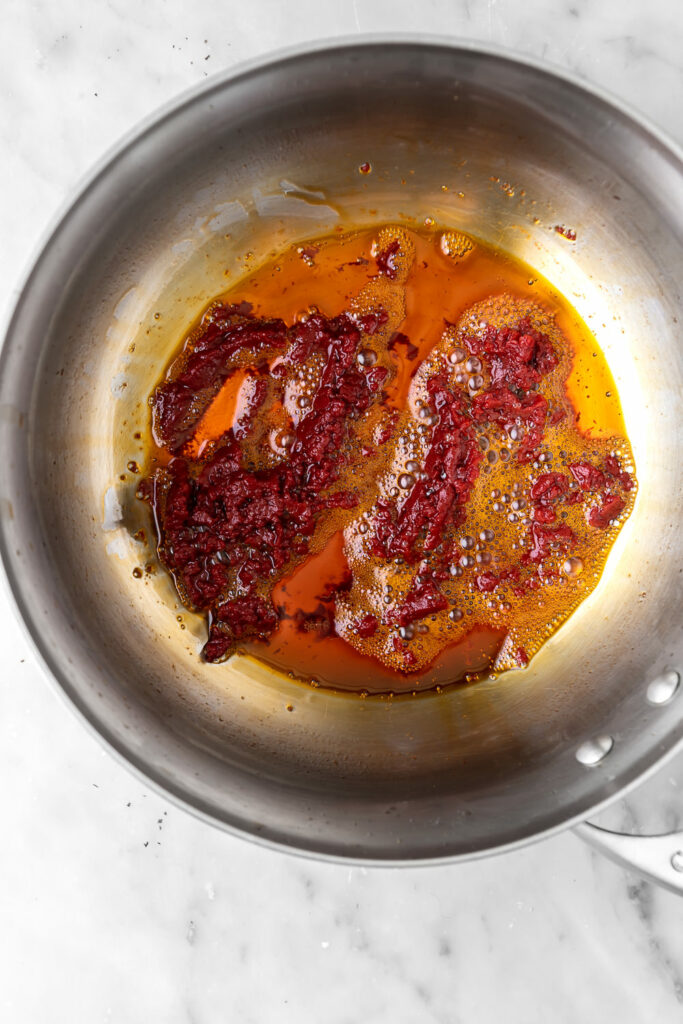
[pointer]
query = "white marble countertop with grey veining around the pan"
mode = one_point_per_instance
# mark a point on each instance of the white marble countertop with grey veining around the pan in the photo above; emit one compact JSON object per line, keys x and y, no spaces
{"x":115,"y":906}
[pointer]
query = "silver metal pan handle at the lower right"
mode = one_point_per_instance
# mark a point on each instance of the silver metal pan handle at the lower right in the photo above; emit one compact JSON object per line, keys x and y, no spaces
{"x":658,"y":859}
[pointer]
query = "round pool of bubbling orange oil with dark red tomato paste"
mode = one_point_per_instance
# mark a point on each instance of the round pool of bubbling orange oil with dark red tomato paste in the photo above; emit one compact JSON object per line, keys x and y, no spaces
{"x":391,"y":467}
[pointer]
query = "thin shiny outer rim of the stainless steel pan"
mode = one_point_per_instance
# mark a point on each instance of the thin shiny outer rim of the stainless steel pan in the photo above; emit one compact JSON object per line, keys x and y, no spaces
{"x":59,"y":679}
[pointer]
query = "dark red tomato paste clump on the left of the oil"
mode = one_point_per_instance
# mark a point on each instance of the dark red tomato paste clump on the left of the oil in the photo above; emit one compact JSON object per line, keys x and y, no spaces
{"x":226,"y":528}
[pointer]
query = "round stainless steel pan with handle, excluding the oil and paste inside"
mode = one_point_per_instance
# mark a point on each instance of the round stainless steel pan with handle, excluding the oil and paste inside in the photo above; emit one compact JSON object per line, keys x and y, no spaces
{"x":249,"y":163}
